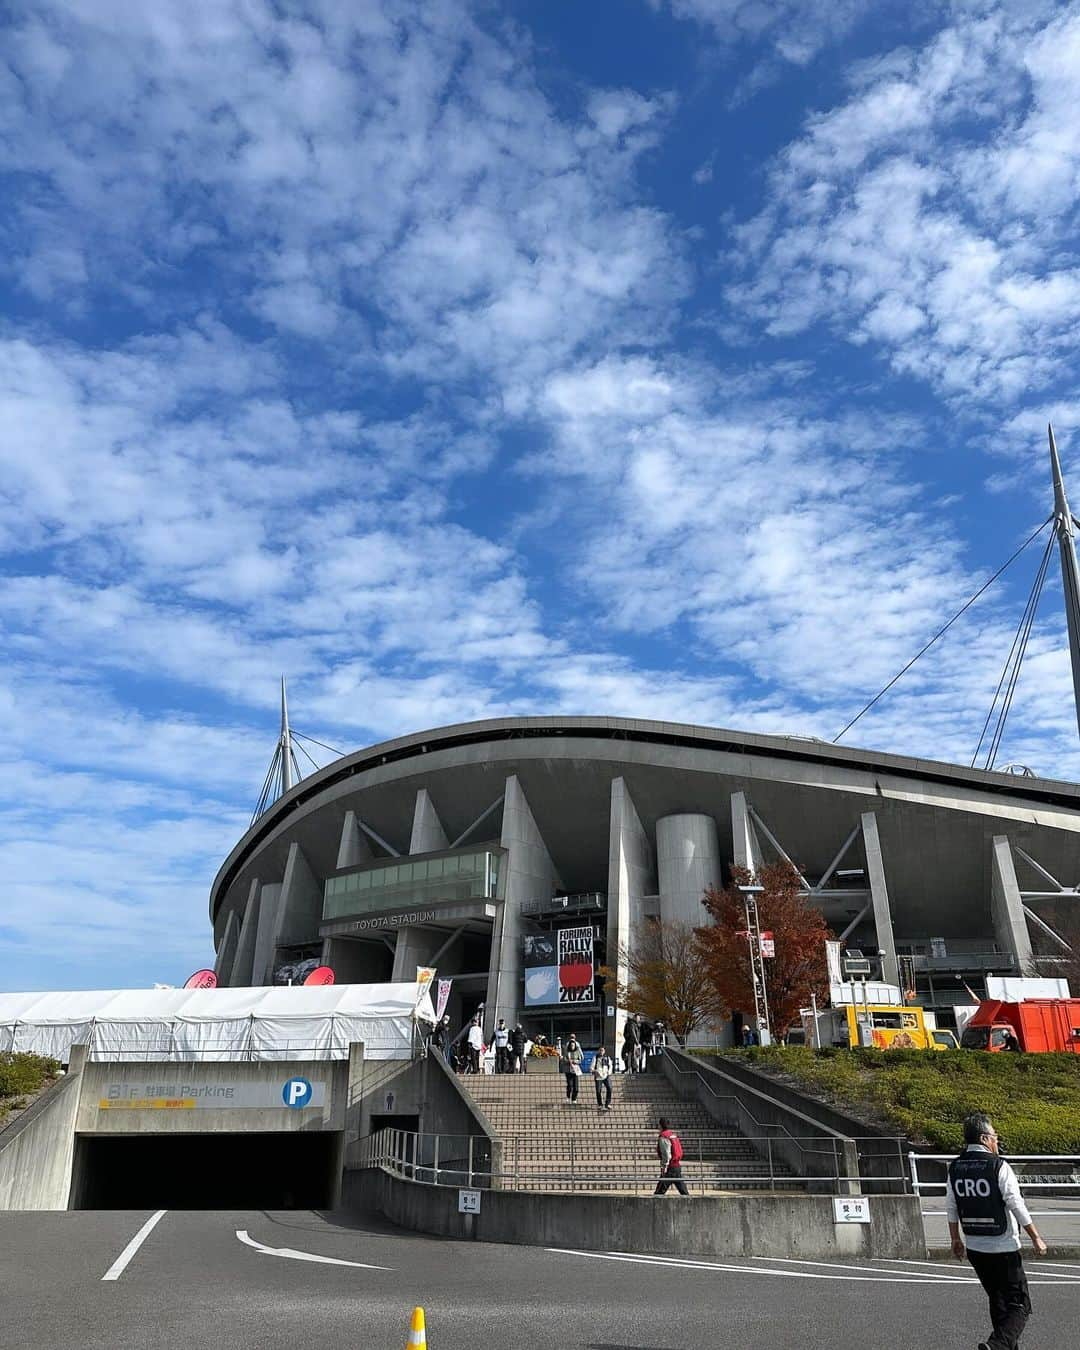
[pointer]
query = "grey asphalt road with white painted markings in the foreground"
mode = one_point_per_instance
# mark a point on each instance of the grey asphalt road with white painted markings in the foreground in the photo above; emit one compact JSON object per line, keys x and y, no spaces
{"x":194,"y":1282}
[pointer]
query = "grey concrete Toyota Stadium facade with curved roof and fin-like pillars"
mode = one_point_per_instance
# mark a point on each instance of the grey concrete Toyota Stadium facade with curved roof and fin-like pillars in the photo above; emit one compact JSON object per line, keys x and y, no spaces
{"x":452,"y":847}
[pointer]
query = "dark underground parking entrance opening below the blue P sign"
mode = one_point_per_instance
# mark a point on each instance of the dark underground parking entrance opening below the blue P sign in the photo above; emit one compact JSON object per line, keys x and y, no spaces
{"x":207,"y":1171}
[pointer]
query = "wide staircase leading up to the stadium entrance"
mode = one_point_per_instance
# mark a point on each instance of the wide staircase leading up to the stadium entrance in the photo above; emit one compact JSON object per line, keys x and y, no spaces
{"x":553,"y":1145}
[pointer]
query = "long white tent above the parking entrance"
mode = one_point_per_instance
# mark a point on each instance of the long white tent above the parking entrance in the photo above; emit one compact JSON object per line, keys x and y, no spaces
{"x":277,"y":1023}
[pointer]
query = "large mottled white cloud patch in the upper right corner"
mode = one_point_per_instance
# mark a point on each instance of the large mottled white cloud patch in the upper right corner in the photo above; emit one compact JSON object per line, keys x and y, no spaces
{"x":901,"y":217}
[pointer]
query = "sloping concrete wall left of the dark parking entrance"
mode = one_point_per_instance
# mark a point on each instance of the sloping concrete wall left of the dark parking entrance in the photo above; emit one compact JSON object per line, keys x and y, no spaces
{"x":37,"y":1150}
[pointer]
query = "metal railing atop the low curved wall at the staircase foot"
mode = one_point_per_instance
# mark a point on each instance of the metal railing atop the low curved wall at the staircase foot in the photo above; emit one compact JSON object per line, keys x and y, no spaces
{"x":466,"y":1162}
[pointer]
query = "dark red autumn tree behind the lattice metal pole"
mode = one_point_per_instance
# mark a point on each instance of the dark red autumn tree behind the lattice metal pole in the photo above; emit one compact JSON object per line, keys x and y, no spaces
{"x":800,"y":932}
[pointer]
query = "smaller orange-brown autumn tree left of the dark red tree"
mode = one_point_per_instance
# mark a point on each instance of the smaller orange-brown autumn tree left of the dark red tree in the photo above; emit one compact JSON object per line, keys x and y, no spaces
{"x":668,"y":978}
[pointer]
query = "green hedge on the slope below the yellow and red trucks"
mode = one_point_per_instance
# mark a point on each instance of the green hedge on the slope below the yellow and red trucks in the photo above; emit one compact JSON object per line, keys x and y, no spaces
{"x":1033,"y":1100}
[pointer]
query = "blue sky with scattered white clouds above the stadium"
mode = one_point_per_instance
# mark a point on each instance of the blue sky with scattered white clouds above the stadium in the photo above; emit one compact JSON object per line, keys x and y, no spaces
{"x":669,"y":358}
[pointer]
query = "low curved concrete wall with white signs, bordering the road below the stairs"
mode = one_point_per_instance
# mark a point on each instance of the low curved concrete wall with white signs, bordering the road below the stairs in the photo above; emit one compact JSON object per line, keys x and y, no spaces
{"x":712,"y":1226}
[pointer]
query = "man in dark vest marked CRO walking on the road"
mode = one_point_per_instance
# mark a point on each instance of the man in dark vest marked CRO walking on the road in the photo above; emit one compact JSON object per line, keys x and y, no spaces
{"x":985,"y":1208}
